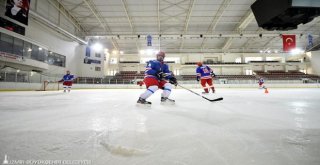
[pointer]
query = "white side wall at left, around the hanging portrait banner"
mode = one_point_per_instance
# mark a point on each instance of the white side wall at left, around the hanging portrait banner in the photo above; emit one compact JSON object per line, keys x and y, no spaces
{"x":47,"y":38}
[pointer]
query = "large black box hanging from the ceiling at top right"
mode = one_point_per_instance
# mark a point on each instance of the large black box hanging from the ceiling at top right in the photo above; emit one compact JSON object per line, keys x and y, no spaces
{"x":284,"y":14}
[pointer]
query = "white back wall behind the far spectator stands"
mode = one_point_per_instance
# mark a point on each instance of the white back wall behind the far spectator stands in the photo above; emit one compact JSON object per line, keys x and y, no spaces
{"x":218,"y":69}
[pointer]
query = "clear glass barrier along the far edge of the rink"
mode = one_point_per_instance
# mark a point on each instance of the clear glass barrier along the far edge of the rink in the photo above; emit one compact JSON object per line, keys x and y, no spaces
{"x":34,"y":77}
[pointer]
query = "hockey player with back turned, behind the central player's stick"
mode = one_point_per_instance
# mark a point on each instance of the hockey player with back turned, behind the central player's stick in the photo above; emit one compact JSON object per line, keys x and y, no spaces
{"x":205,"y":75}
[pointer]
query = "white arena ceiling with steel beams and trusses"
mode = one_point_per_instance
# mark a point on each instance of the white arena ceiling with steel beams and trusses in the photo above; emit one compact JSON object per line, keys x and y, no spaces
{"x":179,"y":26}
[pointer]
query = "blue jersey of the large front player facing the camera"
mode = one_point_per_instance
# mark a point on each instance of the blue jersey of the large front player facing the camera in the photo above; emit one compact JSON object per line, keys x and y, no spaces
{"x":154,"y":67}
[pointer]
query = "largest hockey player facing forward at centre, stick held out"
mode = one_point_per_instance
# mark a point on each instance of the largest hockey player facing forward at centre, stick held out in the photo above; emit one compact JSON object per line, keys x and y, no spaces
{"x":156,"y":74}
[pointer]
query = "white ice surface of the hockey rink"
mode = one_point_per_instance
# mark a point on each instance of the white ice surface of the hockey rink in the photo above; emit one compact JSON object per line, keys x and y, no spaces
{"x":106,"y":127}
